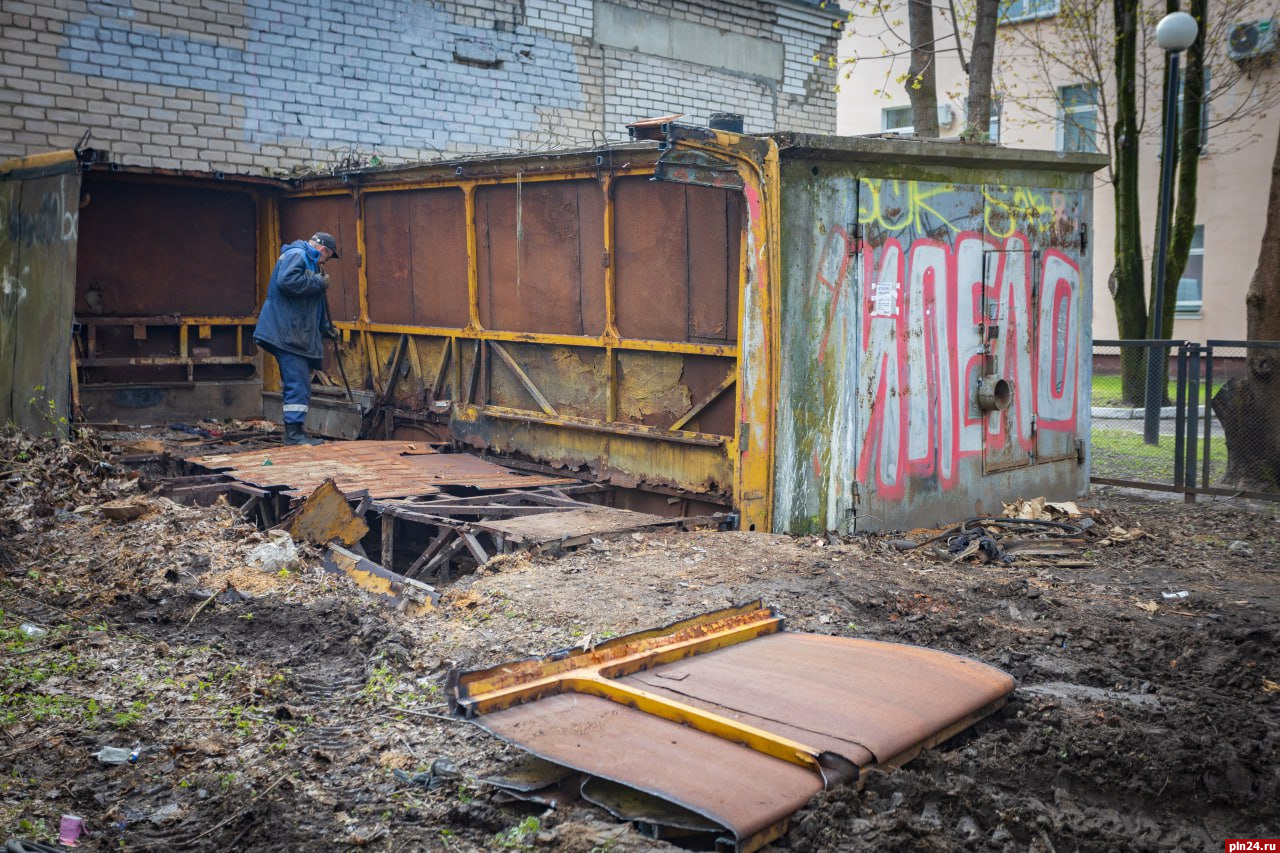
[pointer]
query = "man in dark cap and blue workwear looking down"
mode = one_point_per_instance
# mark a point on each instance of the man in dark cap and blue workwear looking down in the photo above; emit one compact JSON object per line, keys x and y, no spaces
{"x":292,"y":322}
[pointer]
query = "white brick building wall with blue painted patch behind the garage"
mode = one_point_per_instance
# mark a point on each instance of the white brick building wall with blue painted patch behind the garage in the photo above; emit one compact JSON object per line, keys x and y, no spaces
{"x":252,"y":86}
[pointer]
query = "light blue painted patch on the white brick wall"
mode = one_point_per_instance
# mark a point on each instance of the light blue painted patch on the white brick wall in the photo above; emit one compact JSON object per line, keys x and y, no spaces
{"x":344,"y":77}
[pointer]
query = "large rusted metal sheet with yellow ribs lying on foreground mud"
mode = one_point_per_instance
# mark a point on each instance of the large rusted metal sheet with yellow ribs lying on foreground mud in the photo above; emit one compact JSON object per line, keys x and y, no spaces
{"x":729,"y":717}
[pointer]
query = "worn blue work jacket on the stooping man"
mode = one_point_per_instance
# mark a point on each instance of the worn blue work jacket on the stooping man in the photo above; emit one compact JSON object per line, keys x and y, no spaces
{"x":294,"y":314}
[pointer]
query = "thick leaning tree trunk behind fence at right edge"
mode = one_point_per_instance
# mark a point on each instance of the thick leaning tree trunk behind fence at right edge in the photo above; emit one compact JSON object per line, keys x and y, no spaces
{"x":1249,"y":408}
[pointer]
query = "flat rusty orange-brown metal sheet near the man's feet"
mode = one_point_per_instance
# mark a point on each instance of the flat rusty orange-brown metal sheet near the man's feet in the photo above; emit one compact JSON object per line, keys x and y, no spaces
{"x":386,"y":469}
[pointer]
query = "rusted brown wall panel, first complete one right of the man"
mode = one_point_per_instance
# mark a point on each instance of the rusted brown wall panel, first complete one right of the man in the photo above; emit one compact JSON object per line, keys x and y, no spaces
{"x":418,"y":258}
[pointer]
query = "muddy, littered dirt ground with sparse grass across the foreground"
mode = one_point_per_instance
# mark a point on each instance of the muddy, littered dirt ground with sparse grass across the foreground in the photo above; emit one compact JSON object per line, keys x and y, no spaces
{"x":286,"y":710}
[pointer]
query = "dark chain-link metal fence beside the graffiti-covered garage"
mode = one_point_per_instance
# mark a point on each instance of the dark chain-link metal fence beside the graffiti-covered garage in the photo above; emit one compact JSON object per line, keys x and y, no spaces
{"x":1206,"y":432}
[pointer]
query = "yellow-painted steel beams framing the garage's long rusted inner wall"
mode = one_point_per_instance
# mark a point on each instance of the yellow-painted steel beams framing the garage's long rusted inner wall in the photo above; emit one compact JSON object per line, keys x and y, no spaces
{"x":753,"y":378}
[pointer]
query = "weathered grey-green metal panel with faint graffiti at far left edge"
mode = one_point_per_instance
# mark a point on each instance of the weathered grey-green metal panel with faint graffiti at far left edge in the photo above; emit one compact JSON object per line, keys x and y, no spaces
{"x":39,"y":230}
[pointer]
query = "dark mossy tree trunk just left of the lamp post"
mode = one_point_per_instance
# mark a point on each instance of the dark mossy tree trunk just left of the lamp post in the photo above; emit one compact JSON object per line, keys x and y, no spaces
{"x":1128,"y":280}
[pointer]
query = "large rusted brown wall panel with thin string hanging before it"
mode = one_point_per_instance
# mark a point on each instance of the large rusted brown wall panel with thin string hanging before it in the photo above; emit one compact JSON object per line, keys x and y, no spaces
{"x":542,"y":257}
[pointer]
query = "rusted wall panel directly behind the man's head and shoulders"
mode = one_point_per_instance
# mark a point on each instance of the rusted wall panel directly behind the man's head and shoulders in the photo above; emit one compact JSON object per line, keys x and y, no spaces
{"x":303,"y":217}
